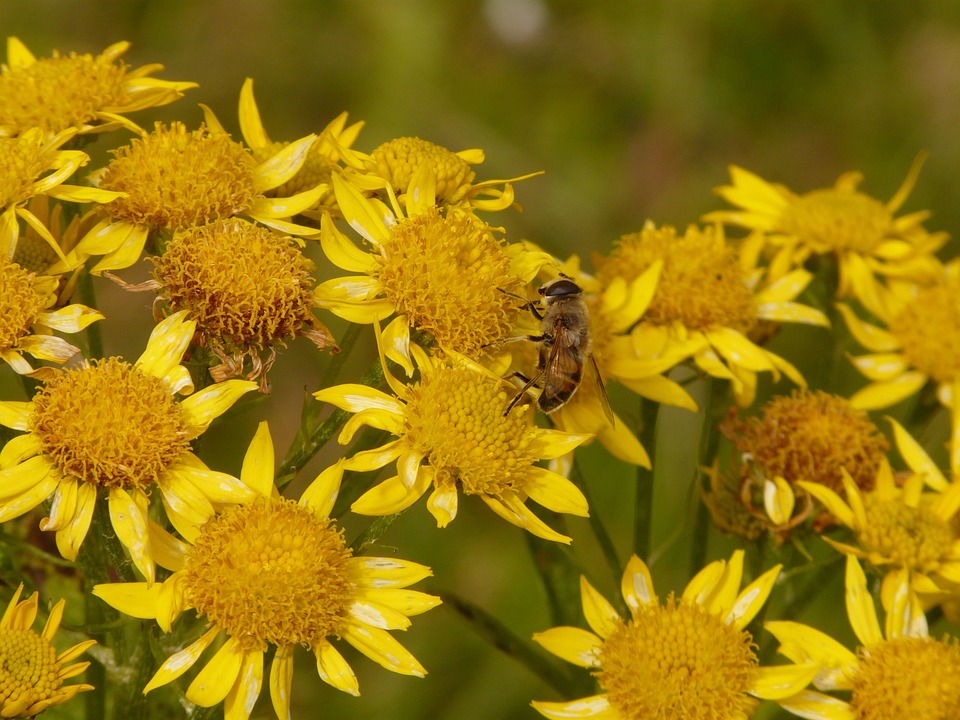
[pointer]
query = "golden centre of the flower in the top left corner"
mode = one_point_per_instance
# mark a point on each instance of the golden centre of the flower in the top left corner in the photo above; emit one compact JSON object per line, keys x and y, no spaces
{"x":59,"y":92}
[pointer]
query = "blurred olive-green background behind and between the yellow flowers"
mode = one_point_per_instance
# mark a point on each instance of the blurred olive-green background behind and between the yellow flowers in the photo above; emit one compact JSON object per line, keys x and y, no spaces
{"x":633,"y":109}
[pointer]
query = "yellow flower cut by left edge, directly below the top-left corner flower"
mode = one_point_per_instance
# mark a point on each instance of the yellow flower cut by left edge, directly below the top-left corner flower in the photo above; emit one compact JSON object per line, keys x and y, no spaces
{"x":31,"y":165}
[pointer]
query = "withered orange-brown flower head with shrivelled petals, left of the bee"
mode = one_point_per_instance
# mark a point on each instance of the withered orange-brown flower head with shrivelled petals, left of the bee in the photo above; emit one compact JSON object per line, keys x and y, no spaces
{"x":248,"y":288}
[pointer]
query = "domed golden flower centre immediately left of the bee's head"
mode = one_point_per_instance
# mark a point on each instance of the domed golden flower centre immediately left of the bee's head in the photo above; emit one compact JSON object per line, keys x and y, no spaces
{"x":447,"y":273}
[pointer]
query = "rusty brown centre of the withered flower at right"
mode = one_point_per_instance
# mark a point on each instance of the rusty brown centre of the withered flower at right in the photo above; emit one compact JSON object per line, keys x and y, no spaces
{"x":810,"y":436}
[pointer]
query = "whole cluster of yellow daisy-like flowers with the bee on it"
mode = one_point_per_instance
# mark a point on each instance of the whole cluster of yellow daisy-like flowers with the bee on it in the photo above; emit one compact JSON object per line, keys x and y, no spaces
{"x":494,"y":365}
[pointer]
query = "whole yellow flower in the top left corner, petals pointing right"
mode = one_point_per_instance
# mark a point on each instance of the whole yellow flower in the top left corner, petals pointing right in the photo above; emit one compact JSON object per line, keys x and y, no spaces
{"x":86,"y":92}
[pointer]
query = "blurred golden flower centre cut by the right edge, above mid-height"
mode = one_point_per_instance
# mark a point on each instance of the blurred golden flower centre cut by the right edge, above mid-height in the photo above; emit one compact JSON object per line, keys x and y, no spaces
{"x":929,"y":331}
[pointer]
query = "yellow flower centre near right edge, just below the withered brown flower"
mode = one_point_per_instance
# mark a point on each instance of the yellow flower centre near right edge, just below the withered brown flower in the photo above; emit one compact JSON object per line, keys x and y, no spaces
{"x":914,"y":537}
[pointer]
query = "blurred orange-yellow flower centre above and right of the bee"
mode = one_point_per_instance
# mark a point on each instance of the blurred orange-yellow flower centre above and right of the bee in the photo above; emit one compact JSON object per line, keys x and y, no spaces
{"x":702,"y":285}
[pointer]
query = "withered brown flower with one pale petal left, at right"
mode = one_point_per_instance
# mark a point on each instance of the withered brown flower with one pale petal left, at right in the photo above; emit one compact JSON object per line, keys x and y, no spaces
{"x":809,"y":436}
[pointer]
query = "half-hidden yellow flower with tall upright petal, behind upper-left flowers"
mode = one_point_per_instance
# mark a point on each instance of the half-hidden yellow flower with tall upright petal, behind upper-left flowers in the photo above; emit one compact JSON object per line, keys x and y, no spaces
{"x":331,"y":147}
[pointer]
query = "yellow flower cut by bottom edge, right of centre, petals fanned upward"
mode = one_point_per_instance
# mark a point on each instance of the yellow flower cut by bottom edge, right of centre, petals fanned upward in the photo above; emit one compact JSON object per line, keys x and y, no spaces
{"x":685,"y":659}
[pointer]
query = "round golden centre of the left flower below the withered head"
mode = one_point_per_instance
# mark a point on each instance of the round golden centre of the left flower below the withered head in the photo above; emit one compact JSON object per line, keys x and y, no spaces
{"x":110,"y":424}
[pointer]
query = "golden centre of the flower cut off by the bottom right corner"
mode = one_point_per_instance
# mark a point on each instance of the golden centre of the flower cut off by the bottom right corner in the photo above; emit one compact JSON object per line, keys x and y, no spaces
{"x":908,"y":677}
